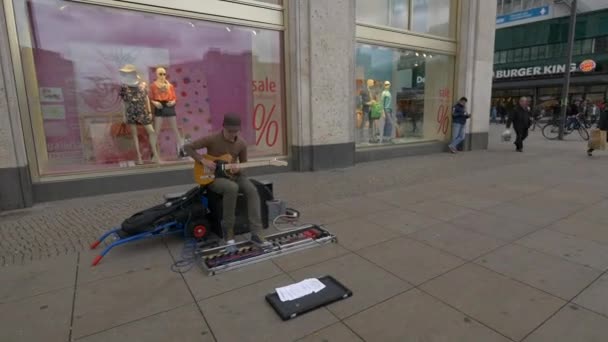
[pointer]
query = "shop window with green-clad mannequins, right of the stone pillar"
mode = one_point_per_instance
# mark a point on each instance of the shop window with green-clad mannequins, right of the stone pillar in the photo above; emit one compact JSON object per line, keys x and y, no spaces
{"x":413,"y":87}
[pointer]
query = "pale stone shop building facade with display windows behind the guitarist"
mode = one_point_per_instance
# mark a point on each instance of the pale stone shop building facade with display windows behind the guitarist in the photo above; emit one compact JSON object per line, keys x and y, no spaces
{"x":97,"y":96}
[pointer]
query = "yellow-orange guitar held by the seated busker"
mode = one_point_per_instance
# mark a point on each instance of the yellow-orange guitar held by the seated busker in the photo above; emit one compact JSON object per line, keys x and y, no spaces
{"x":223,"y":168}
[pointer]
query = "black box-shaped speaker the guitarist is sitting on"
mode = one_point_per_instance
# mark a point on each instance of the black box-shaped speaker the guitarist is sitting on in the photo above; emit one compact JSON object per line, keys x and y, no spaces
{"x":241,"y":226}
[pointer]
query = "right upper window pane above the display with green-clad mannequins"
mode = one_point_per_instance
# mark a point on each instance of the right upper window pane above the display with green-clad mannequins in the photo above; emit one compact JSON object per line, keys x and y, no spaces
{"x":433,"y":17}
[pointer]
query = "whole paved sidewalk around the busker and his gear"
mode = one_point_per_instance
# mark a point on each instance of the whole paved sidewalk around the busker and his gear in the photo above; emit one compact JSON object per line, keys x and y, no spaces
{"x":482,"y":246}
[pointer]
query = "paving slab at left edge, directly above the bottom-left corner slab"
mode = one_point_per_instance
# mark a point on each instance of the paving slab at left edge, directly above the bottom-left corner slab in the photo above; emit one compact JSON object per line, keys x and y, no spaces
{"x":41,"y":276}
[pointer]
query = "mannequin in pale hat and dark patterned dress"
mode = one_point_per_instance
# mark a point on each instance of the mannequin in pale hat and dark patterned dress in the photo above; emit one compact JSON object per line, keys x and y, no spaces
{"x":134,"y":93}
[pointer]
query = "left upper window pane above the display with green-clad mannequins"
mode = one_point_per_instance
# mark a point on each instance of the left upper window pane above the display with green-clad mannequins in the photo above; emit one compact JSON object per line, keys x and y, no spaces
{"x":393,"y":13}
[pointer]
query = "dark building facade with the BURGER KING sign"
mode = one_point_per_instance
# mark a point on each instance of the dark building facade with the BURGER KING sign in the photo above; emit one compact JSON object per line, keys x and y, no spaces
{"x":533,"y":65}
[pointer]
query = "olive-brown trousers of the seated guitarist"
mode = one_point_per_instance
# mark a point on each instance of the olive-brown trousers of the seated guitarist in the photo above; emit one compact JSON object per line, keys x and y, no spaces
{"x":229,"y":189}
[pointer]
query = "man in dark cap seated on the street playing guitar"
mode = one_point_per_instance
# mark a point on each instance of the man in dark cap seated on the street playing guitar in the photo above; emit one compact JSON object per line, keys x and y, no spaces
{"x":228,"y":142}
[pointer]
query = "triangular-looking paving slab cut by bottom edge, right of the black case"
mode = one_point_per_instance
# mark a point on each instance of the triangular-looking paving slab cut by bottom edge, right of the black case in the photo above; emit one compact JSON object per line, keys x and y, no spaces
{"x":416,"y":316}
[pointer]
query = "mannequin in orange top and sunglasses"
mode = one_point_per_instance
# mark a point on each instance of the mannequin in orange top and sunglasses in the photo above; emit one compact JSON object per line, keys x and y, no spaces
{"x":162,"y":96}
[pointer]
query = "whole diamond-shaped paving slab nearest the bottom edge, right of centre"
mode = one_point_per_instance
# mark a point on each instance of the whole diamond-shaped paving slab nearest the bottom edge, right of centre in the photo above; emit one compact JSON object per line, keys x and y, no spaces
{"x":507,"y":306}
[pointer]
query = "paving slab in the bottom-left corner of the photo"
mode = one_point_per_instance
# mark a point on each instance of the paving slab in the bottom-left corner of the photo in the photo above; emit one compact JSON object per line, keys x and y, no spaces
{"x":40,"y":318}
